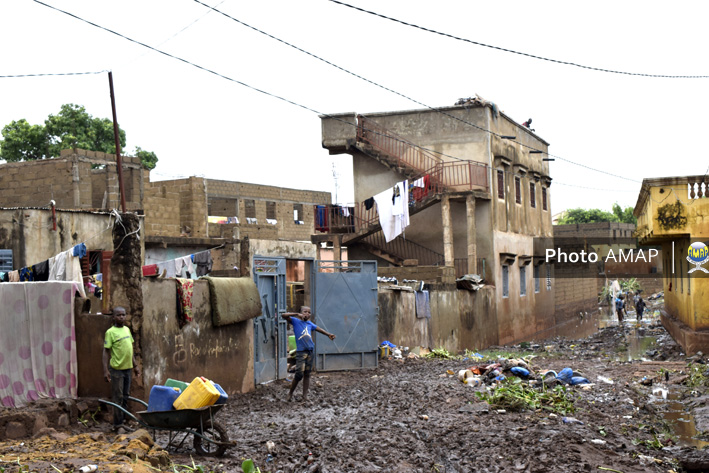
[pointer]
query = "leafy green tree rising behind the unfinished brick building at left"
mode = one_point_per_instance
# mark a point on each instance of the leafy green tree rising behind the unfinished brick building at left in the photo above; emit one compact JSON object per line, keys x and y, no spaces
{"x":72,"y":127}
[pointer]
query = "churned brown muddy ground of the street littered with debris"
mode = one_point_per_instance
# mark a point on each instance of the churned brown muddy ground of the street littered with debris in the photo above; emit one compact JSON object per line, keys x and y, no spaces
{"x":412,"y":415}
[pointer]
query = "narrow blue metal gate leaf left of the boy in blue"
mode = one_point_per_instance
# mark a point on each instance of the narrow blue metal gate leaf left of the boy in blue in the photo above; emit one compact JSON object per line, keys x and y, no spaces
{"x":270,"y":330}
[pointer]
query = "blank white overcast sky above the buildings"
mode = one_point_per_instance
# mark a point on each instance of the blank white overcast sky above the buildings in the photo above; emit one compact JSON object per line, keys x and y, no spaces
{"x":606,"y":130}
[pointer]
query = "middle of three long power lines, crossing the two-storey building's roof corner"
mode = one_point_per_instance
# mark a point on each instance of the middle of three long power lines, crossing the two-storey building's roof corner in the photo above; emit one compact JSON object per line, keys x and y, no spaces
{"x":438,"y":110}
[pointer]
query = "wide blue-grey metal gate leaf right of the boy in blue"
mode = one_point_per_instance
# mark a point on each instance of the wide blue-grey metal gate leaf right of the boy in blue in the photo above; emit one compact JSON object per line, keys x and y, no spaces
{"x":346,"y":304}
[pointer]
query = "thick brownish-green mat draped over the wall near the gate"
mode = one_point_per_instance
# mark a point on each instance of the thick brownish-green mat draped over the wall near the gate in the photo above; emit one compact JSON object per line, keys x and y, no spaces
{"x":233,"y":300}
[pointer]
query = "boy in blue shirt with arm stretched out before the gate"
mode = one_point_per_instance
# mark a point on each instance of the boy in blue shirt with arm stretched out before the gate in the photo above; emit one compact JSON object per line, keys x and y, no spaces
{"x":303,"y":328}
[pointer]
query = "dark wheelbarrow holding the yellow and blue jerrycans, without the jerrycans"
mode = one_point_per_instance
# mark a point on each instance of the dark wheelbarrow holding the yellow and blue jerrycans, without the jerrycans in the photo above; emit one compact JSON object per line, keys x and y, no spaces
{"x":210,"y":438}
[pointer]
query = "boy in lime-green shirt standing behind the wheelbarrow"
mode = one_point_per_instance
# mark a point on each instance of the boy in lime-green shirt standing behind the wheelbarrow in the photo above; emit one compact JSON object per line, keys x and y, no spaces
{"x":118,"y":363}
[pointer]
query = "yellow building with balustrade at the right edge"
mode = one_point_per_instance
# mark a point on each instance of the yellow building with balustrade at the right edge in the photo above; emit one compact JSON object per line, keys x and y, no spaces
{"x":674,"y":212}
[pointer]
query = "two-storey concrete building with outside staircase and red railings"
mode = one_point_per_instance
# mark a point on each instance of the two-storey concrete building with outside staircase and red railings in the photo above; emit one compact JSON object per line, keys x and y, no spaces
{"x":486,"y":200}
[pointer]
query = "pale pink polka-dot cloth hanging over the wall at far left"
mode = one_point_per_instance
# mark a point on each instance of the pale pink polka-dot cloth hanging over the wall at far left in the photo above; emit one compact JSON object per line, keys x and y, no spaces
{"x":37,"y":342}
